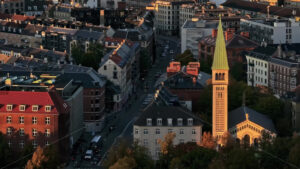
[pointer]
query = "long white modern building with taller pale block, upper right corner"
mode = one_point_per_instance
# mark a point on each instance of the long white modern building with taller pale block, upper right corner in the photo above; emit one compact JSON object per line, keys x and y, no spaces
{"x":273,"y":31}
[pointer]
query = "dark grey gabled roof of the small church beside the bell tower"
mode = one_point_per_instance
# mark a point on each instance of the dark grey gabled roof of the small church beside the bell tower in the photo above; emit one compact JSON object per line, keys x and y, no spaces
{"x":239,"y":115}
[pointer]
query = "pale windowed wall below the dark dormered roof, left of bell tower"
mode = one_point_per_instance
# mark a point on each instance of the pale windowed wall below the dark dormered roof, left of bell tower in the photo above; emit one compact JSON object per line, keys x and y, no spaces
{"x":150,"y":140}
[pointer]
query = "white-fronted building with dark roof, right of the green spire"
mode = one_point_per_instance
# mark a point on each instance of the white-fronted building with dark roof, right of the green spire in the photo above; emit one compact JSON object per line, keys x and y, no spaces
{"x":258,"y":66}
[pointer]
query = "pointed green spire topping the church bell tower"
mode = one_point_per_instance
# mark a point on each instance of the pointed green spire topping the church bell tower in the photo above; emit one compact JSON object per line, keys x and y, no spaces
{"x":220,"y":55}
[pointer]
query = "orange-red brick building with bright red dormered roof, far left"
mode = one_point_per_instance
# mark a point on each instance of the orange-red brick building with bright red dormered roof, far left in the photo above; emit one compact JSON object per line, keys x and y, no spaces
{"x":33,"y":117}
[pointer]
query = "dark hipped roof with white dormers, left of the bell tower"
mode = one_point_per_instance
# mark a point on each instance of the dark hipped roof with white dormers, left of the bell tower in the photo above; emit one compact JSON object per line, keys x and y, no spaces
{"x":165,"y":112}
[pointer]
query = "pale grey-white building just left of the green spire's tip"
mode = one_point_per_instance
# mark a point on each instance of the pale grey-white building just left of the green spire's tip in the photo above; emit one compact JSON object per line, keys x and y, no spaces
{"x":192,"y":30}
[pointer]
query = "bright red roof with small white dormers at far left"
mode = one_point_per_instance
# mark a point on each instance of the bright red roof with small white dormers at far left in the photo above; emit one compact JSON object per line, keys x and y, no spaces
{"x":29,"y":98}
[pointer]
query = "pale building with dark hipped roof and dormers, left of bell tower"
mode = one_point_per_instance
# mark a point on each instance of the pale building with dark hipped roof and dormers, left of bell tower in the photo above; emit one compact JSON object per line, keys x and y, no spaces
{"x":157,"y":121}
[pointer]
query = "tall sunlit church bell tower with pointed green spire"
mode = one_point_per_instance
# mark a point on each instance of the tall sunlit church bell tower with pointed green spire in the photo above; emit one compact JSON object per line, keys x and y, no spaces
{"x":220,"y":77}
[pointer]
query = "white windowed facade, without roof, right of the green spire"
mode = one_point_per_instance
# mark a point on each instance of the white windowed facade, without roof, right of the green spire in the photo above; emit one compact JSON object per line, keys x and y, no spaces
{"x":257,"y":71}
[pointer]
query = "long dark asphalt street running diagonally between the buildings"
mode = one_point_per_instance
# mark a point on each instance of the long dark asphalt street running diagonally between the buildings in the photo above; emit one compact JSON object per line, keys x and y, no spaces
{"x":124,"y":120}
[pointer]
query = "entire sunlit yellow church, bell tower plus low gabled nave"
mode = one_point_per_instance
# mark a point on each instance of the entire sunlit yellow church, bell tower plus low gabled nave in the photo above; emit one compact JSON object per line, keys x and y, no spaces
{"x":243,"y":123}
